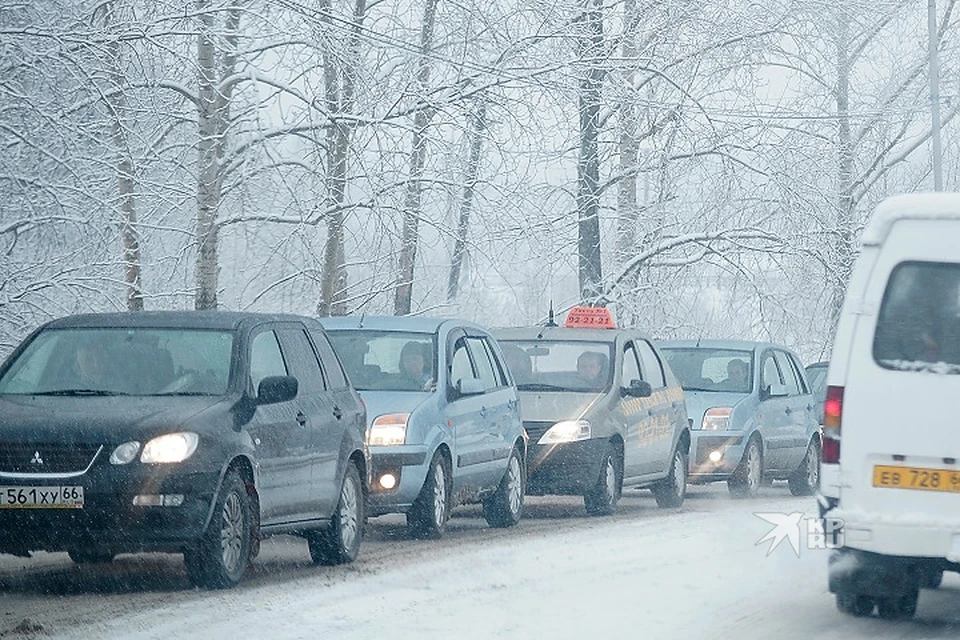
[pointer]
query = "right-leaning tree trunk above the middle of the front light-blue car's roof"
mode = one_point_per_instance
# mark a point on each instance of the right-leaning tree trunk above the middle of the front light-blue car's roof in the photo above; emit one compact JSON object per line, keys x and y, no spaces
{"x":412,"y":200}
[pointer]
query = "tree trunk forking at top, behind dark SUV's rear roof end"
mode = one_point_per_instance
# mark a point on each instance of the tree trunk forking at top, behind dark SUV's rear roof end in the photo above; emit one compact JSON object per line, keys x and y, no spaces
{"x":339,"y":85}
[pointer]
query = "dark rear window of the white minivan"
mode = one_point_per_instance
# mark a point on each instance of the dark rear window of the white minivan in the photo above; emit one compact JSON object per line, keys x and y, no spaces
{"x":918,"y":327}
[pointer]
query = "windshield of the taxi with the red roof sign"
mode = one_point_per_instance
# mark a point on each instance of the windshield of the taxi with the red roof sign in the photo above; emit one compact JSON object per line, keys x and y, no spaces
{"x":559,"y":366}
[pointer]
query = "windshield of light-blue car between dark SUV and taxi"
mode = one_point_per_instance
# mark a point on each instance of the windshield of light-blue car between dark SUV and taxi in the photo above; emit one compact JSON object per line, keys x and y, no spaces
{"x":387,"y":360}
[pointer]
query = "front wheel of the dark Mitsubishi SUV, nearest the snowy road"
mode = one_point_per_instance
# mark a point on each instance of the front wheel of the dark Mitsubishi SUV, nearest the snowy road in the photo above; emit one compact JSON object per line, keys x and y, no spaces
{"x":221,"y":557}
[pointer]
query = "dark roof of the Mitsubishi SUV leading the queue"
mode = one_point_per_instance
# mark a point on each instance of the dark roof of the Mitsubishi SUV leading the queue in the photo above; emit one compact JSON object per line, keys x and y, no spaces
{"x":228,"y":320}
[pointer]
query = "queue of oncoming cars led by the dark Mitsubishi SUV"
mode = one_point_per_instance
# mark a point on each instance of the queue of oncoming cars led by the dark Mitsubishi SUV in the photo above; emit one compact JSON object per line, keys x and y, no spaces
{"x":202,"y":433}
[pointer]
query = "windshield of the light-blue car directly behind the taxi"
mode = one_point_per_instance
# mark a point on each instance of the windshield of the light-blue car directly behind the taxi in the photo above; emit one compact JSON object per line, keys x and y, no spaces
{"x":703,"y":369}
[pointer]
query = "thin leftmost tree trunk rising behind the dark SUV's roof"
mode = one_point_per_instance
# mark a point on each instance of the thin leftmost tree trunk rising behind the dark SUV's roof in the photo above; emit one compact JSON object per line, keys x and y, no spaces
{"x":129,"y":232}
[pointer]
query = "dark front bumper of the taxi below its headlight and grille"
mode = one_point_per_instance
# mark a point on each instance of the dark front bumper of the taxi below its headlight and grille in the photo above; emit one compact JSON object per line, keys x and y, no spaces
{"x":564,"y":469}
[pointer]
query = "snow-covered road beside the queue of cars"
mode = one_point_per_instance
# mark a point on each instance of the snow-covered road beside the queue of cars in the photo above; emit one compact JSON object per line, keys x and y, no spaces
{"x":693,"y":573}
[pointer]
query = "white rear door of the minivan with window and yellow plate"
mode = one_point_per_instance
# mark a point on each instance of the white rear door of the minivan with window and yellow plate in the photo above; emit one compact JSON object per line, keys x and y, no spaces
{"x":900,"y":439}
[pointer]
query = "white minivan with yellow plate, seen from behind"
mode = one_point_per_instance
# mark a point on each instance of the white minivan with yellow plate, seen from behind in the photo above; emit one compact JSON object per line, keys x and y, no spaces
{"x":891,"y":432}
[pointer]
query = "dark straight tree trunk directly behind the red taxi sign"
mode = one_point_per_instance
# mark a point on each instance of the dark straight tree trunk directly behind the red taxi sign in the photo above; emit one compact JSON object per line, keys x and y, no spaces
{"x":588,"y":165}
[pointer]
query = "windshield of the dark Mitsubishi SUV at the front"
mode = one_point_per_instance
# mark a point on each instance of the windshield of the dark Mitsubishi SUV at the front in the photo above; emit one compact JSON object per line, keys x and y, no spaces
{"x":122,"y":361}
